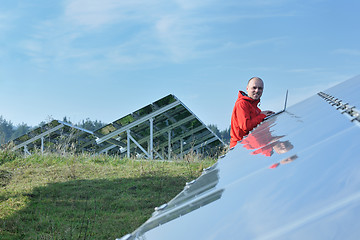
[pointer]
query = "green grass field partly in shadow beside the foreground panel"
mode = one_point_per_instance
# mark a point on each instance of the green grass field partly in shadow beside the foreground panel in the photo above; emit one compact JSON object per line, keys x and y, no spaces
{"x":85,"y":197}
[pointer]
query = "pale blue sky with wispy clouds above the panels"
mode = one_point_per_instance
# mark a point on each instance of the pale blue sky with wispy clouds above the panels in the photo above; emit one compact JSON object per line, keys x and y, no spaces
{"x":104,"y":59}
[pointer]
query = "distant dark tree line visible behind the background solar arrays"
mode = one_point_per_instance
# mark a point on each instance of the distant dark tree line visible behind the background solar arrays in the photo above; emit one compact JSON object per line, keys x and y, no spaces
{"x":9,"y":131}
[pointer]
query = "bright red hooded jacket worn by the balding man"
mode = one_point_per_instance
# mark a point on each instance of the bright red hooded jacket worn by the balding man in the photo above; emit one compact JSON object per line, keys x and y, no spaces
{"x":245,"y":116}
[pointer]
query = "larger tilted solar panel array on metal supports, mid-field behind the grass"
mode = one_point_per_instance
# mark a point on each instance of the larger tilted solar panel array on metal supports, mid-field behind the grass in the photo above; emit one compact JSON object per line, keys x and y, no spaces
{"x":163,"y":129}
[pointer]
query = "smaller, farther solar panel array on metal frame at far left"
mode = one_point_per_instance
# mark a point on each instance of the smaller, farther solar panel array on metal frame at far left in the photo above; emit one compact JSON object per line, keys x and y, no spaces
{"x":57,"y":135}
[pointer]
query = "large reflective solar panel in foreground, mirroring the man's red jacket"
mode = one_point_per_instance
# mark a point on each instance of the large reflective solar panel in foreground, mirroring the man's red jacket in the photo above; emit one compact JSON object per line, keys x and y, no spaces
{"x":295,"y":176}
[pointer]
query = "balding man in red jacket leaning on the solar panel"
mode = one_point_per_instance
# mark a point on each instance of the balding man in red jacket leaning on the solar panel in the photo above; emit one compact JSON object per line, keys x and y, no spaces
{"x":246,"y":115}
